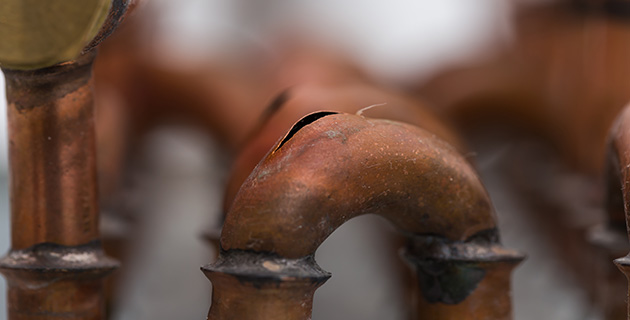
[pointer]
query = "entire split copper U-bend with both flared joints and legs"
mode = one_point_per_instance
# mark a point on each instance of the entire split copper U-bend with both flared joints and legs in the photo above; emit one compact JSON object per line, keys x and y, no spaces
{"x":333,"y":167}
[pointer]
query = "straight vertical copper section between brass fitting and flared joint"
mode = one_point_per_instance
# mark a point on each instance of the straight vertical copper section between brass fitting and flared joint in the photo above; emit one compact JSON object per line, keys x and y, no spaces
{"x":52,"y":155}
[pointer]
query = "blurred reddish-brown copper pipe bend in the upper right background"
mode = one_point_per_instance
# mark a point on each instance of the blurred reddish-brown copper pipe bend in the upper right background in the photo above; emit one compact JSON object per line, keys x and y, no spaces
{"x":565,"y":85}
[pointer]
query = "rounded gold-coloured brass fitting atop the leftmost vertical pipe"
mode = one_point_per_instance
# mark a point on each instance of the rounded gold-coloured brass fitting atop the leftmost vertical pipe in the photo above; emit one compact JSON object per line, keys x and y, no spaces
{"x":40,"y":33}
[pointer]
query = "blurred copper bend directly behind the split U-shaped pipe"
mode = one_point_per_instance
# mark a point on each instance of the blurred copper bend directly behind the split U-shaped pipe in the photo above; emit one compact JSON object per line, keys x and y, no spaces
{"x":347,"y":96}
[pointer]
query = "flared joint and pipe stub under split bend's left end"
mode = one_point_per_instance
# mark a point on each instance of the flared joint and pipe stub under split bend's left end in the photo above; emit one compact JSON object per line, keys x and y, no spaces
{"x":274,"y":287}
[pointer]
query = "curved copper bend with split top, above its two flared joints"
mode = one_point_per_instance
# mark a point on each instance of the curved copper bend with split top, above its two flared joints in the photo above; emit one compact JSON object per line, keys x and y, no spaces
{"x":324,"y":172}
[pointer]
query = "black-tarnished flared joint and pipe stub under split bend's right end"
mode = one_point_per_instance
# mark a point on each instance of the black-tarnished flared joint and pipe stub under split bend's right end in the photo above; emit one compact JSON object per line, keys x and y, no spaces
{"x":468,"y":280}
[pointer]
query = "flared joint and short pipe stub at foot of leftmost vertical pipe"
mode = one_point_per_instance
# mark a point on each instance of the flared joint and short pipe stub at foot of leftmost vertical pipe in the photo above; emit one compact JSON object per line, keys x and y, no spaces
{"x":49,"y":281}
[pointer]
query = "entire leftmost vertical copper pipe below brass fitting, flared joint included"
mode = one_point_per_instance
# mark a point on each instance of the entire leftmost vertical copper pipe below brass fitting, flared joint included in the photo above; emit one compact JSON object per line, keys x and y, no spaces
{"x":56,"y":265}
